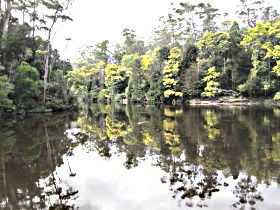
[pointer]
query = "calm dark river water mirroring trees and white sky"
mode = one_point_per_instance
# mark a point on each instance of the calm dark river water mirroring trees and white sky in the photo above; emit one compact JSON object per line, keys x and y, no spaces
{"x":139,"y":157}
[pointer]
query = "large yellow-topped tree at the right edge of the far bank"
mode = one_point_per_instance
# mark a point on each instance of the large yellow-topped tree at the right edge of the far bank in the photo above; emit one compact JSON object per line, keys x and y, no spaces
{"x":262,"y":42}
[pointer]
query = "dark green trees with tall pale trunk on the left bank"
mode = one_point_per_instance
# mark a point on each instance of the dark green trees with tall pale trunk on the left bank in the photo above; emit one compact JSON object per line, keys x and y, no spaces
{"x":32,"y":75}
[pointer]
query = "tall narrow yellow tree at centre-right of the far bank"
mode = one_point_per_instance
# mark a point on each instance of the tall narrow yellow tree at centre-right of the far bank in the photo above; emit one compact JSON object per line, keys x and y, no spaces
{"x":170,"y":75}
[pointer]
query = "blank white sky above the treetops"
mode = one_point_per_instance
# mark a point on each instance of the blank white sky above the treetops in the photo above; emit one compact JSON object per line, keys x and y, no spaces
{"x":98,"y":20}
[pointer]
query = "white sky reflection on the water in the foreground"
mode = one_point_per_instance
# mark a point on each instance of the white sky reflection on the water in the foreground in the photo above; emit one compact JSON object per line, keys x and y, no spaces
{"x":104,"y":183}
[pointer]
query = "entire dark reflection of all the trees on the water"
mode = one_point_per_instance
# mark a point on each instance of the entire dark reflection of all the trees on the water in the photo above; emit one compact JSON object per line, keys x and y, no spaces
{"x":199,"y":149}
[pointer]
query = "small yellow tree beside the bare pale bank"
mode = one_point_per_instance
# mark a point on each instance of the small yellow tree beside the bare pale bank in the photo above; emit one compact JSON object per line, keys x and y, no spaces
{"x":212,"y":84}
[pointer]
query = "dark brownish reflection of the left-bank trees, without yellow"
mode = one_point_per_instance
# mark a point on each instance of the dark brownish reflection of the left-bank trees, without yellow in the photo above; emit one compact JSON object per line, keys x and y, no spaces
{"x":30,"y":149}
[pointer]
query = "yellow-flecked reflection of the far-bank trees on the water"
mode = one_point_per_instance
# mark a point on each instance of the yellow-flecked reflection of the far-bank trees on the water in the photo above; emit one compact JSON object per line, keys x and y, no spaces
{"x":232,"y":139}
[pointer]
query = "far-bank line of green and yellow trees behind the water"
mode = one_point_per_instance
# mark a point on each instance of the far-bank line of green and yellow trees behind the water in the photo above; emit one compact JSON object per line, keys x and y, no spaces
{"x":196,"y":52}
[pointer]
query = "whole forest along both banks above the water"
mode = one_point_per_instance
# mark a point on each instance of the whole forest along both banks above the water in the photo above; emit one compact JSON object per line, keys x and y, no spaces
{"x":194,"y":52}
